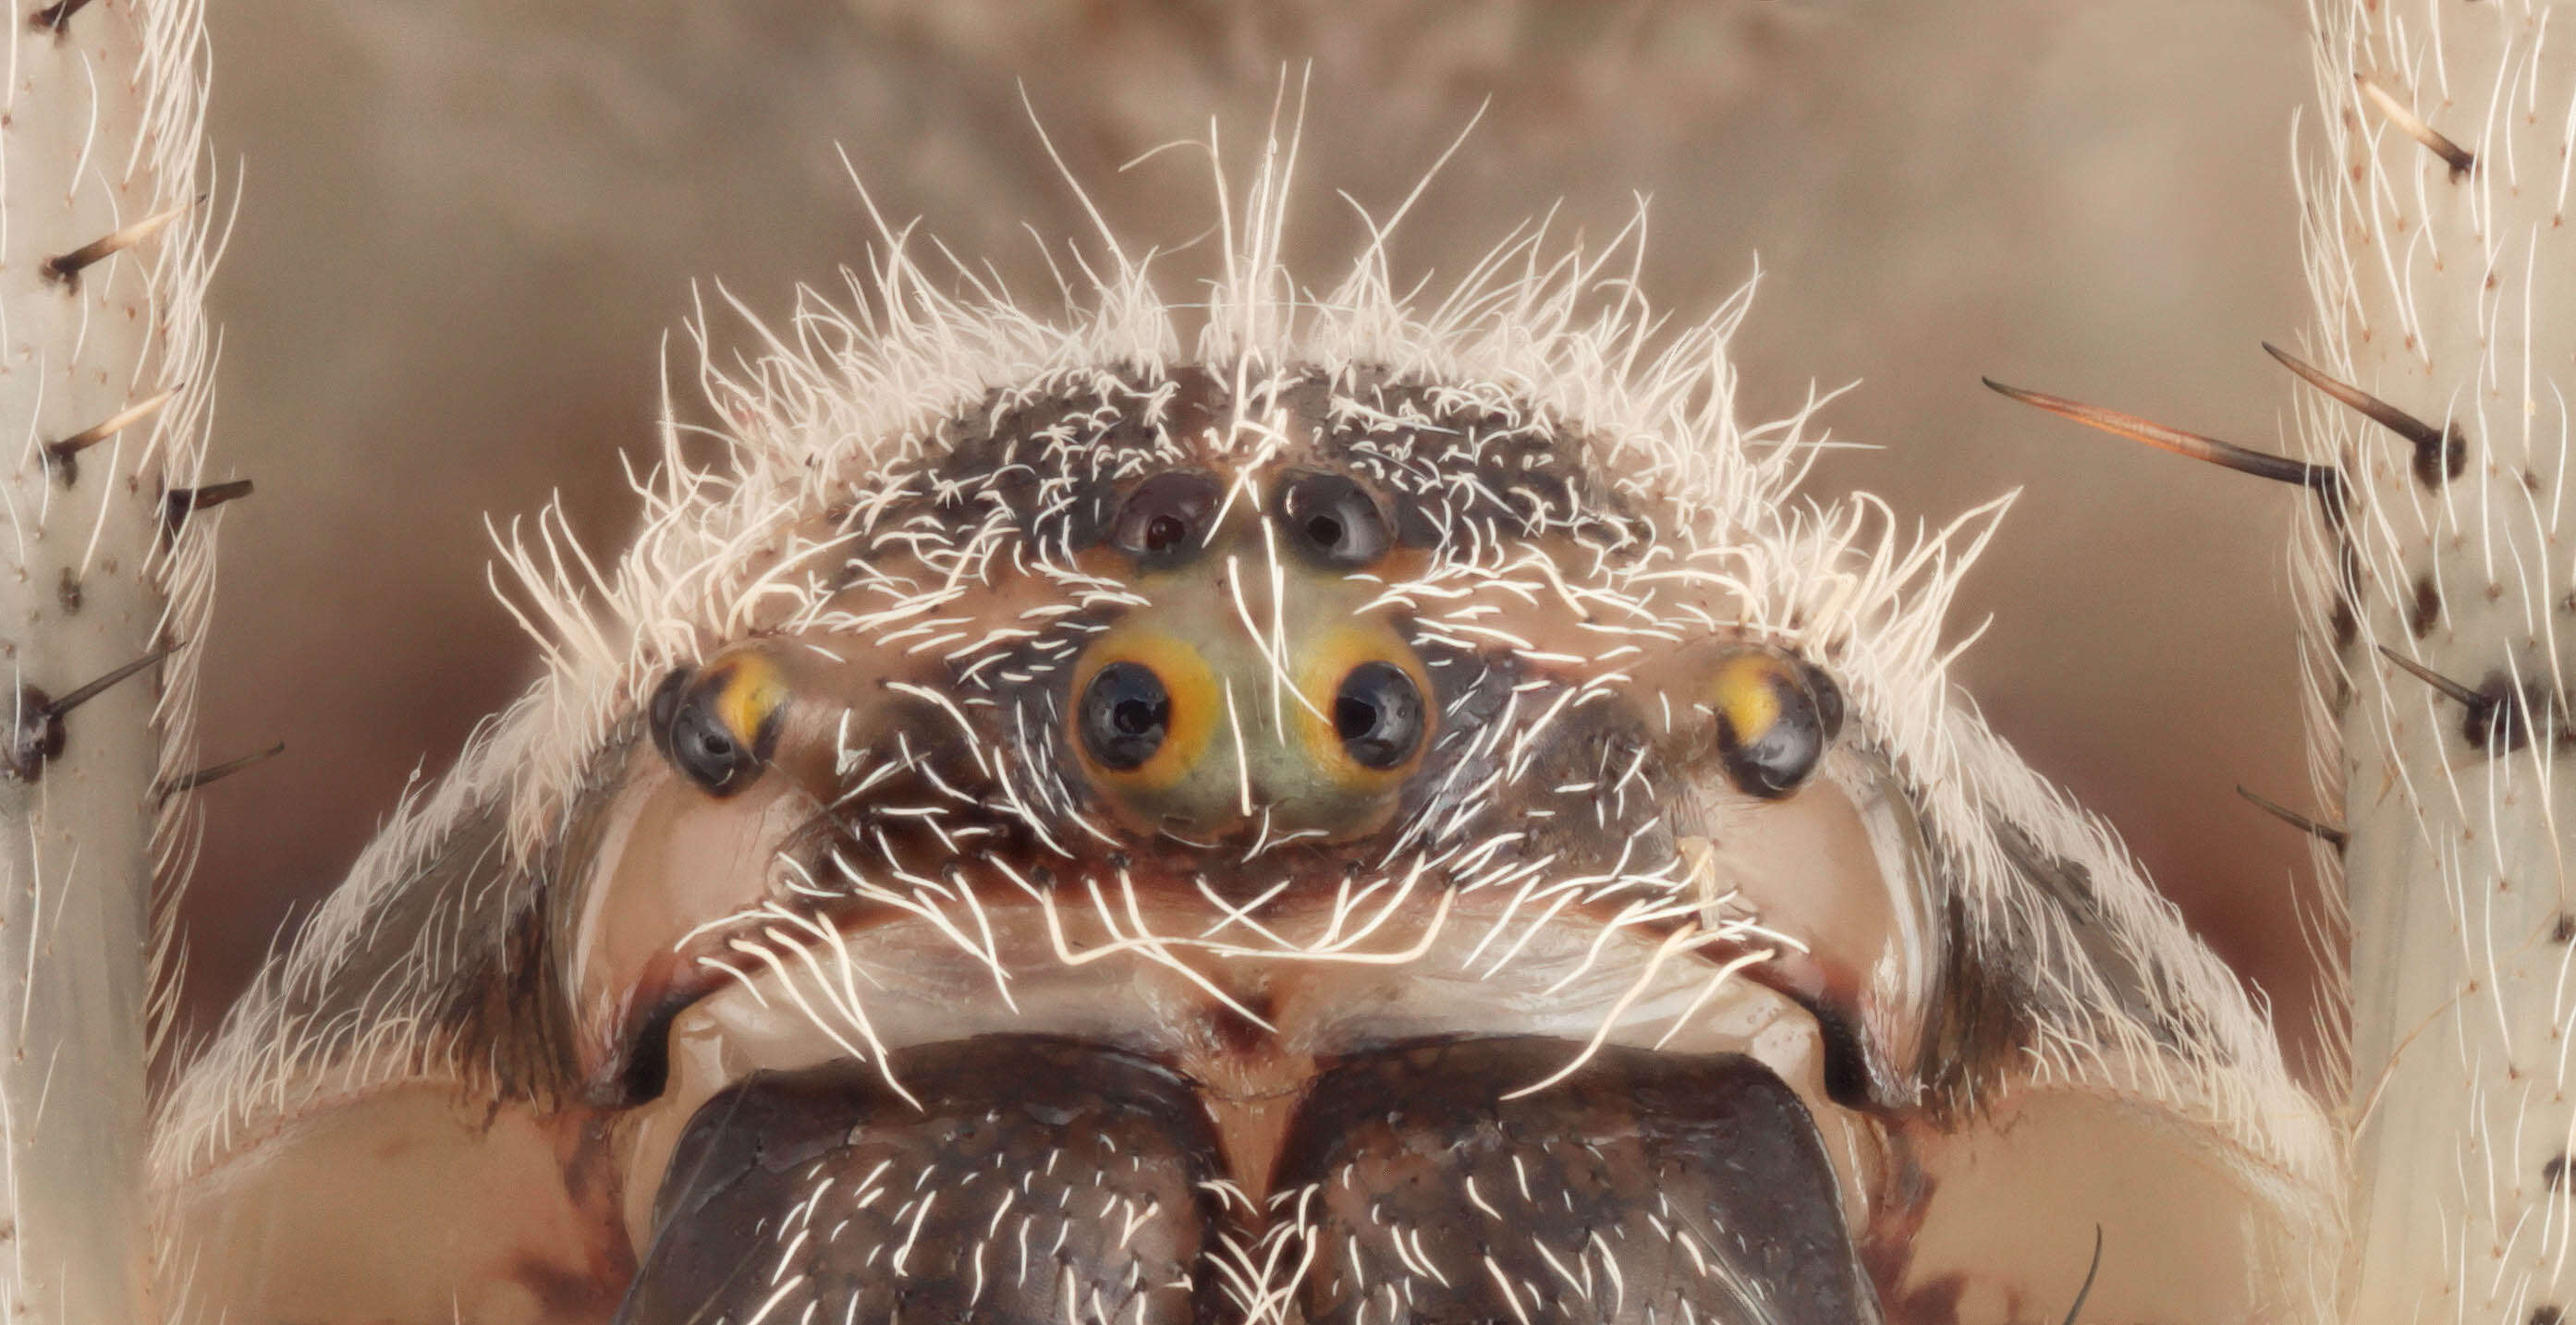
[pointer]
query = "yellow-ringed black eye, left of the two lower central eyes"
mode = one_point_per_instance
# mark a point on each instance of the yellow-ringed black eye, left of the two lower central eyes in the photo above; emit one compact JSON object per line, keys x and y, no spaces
{"x":1117,"y":681}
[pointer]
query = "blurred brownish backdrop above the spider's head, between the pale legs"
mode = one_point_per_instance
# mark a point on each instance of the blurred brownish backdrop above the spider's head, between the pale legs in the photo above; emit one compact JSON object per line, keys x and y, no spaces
{"x":470,"y":225}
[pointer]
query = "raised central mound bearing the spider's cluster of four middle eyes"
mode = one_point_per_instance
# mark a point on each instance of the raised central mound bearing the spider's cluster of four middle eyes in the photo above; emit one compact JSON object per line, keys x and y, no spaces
{"x":1248,"y":686}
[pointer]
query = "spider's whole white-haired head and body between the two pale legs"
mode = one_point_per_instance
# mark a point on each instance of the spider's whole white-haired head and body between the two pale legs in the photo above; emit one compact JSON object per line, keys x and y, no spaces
{"x":1390,"y":814}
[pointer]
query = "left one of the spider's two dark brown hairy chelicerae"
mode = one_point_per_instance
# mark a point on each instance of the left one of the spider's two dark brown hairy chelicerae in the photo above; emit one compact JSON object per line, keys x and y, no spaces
{"x":1037,"y":1182}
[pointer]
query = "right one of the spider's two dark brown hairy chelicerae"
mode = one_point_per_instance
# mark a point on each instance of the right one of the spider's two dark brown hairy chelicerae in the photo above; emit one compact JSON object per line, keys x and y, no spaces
{"x":1699,"y":1174}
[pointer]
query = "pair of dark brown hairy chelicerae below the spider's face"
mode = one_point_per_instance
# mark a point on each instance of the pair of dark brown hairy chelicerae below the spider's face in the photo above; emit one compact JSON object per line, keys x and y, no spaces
{"x":1057,"y":1180}
